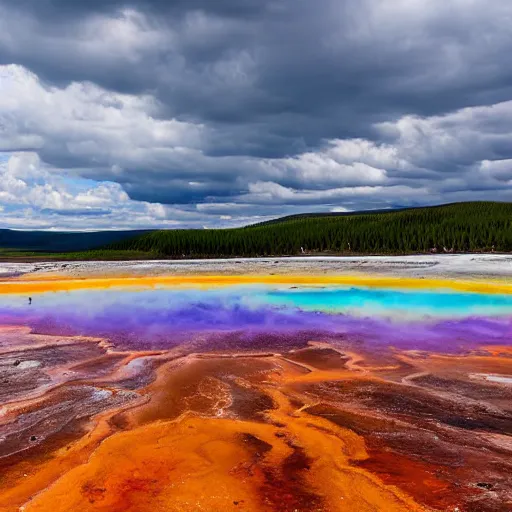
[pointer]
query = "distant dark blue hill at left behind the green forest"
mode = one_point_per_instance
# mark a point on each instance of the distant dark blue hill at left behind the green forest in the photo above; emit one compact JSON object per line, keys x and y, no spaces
{"x":56,"y":242}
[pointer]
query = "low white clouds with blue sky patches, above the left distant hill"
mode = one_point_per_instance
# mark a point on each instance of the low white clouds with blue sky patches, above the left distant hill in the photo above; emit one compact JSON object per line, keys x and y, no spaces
{"x":32,"y":196}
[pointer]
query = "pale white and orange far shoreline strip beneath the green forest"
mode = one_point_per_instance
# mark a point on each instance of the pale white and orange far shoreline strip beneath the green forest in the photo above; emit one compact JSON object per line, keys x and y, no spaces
{"x":462,"y":267}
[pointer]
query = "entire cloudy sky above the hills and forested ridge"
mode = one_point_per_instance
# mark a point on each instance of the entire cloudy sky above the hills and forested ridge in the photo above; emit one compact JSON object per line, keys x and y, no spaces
{"x":199,"y":113}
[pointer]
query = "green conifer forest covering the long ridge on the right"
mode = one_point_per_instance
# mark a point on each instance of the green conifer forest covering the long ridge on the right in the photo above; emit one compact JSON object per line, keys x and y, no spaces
{"x":460,"y":227}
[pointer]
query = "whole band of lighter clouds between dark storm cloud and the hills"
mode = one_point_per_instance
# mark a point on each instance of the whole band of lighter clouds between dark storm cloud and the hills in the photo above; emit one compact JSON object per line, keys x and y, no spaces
{"x":121,"y":143}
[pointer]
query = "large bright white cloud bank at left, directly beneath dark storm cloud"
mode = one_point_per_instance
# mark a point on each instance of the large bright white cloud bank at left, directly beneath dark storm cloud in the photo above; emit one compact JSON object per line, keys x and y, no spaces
{"x":85,"y":121}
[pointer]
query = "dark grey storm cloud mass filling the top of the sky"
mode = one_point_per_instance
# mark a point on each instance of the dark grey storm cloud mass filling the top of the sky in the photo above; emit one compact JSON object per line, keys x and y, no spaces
{"x":275,"y":75}
